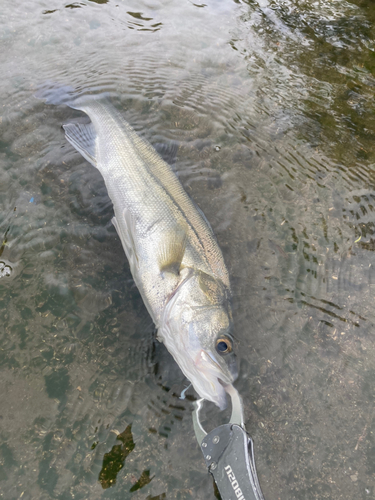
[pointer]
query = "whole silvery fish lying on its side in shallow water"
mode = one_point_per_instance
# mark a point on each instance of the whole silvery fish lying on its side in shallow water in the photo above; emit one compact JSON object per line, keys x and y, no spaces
{"x":174,"y":257}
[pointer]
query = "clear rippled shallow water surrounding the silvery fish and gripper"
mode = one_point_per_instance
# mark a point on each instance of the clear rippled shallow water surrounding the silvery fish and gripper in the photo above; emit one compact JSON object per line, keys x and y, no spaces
{"x":266,"y":111}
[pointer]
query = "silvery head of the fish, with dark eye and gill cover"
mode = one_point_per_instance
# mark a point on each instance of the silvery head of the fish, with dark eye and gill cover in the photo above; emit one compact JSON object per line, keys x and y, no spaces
{"x":197,"y":332}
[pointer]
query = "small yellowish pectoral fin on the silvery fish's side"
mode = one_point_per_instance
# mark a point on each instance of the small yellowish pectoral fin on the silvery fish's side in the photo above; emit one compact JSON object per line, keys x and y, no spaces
{"x":172,"y":251}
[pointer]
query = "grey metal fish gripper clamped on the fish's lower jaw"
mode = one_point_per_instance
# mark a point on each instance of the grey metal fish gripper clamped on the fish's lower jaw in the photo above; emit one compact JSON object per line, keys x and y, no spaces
{"x":229,"y":453}
